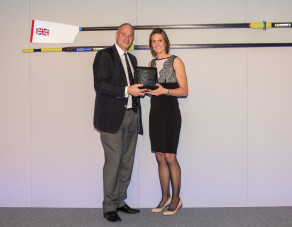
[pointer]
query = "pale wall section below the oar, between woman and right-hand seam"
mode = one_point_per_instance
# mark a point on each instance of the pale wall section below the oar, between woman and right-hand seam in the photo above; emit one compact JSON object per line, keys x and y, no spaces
{"x":213,"y":140}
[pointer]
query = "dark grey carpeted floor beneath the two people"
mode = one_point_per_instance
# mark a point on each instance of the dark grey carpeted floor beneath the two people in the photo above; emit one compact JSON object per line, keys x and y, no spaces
{"x":197,"y":217}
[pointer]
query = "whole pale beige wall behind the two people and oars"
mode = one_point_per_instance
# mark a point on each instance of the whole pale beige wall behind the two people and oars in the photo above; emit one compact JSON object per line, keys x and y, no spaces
{"x":236,"y":139}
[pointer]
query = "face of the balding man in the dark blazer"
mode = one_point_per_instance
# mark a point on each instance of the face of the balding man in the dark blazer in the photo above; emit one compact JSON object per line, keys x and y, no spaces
{"x":125,"y":37}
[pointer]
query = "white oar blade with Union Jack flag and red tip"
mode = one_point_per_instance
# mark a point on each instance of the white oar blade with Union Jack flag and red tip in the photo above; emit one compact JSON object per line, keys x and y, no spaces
{"x":51,"y":32}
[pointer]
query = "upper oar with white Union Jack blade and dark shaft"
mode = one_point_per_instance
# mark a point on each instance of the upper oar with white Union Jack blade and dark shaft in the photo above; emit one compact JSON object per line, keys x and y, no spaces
{"x":51,"y":32}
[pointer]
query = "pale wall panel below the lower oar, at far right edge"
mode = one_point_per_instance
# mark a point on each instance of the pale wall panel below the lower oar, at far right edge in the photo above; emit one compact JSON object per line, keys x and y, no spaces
{"x":270,"y":127}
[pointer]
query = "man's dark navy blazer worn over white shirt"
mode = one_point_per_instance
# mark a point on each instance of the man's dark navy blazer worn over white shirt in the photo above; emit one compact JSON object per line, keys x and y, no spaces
{"x":109,"y":83}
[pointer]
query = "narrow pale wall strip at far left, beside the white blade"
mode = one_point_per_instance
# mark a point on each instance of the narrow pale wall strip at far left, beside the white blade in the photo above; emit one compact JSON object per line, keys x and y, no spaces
{"x":15,"y":172}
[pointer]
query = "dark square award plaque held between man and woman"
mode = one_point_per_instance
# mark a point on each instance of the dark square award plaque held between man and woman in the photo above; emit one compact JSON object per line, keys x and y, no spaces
{"x":146,"y":76}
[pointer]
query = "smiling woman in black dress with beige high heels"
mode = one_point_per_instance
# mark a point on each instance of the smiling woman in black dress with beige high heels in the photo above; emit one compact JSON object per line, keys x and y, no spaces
{"x":165,"y":118}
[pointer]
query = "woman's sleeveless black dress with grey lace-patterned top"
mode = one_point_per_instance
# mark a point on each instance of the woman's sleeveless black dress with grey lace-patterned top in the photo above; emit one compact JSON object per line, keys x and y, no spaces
{"x":165,"y":117}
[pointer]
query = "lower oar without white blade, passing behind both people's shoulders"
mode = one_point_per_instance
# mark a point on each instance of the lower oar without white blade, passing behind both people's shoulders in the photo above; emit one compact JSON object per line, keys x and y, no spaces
{"x":146,"y":47}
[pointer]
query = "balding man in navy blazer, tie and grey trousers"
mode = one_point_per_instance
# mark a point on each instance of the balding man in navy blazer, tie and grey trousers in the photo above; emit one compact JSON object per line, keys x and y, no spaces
{"x":117,"y":116}
